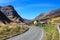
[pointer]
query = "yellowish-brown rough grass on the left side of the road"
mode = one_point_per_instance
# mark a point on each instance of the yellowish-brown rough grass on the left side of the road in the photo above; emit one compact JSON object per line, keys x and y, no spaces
{"x":11,"y":30}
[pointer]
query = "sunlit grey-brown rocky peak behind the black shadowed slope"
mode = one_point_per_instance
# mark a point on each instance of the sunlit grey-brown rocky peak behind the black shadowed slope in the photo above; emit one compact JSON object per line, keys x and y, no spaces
{"x":11,"y":13}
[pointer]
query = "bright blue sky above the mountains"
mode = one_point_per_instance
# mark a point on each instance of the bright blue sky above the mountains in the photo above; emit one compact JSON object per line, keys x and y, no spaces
{"x":29,"y":9}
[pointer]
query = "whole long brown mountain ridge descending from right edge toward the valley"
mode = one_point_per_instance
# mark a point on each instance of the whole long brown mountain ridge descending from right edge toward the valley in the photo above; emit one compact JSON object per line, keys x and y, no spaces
{"x":51,"y":14}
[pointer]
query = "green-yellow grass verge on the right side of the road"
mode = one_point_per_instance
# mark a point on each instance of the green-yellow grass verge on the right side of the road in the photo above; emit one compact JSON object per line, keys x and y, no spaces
{"x":51,"y":32}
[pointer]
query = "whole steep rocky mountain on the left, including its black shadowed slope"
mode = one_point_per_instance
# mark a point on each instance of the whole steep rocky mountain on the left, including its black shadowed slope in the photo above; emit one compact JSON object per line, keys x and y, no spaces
{"x":8,"y":14}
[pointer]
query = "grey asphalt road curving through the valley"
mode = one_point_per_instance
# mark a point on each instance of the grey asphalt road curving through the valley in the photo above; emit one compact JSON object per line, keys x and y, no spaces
{"x":34,"y":33}
